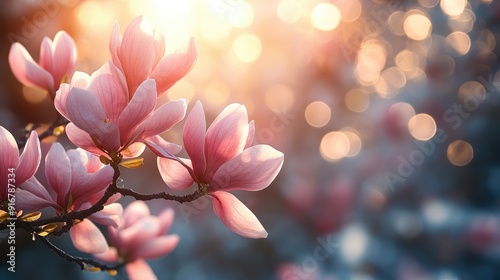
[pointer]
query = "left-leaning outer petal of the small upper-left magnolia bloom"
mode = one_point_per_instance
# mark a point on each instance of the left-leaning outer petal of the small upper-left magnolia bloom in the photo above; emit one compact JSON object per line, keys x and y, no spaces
{"x":27,"y":71}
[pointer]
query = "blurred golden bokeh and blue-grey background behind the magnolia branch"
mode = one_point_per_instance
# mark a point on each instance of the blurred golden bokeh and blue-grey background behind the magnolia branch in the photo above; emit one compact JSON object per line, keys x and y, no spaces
{"x":388,"y":113}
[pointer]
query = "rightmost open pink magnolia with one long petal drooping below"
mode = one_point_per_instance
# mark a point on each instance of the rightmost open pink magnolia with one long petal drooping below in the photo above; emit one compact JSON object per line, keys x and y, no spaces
{"x":222,"y":160}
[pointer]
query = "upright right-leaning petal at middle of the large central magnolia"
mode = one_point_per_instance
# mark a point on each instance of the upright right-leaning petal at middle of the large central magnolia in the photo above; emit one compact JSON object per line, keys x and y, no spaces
{"x":137,"y":110}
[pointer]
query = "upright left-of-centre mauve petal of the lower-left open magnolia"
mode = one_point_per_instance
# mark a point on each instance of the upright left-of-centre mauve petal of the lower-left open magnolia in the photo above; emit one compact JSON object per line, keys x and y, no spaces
{"x":58,"y":172}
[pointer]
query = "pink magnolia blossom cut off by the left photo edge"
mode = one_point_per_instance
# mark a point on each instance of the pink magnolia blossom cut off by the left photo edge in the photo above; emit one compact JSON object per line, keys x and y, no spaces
{"x":22,"y":166}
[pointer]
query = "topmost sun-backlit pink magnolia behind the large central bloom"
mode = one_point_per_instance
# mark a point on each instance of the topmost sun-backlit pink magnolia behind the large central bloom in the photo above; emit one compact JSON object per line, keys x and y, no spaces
{"x":139,"y":54}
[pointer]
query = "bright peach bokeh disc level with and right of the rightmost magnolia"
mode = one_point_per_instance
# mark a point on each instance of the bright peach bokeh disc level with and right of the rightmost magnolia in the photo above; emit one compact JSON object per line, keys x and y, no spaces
{"x":334,"y":146}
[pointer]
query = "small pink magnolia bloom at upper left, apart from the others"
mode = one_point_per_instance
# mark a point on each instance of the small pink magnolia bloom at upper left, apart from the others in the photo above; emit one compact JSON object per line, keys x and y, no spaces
{"x":57,"y":62}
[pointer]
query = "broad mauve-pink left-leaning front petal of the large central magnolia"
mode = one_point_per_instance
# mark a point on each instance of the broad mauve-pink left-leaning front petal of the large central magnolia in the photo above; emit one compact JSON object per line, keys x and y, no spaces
{"x":86,"y":112}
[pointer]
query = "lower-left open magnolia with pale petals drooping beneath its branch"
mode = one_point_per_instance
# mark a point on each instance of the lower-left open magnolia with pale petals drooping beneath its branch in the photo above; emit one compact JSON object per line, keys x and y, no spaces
{"x":76,"y":181}
